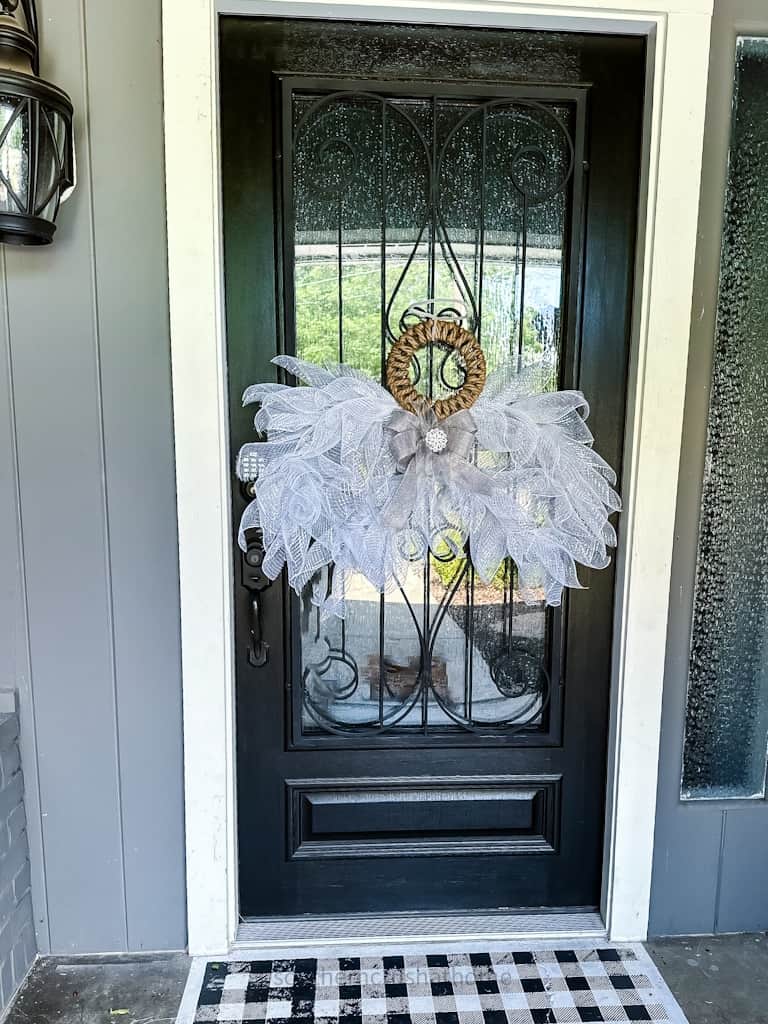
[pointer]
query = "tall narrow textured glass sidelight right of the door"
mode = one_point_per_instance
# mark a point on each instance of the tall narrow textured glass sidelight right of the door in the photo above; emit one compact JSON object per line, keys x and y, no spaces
{"x":728,"y":709}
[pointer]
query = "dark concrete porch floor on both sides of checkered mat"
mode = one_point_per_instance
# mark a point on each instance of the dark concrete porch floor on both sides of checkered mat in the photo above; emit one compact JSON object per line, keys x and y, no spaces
{"x":721,"y":980}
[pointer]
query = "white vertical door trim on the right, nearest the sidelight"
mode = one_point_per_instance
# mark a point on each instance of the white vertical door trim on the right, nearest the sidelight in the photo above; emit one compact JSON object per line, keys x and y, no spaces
{"x":657,"y":400}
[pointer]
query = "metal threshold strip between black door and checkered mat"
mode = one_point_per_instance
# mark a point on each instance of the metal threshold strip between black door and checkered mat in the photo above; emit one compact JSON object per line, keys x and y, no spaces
{"x":288,"y":932}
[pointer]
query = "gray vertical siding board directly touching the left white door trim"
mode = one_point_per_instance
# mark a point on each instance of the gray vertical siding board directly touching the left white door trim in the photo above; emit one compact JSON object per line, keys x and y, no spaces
{"x":139,"y":442}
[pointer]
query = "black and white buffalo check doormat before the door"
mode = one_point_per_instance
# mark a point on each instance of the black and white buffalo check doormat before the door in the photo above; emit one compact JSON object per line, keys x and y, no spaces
{"x":525,"y":987}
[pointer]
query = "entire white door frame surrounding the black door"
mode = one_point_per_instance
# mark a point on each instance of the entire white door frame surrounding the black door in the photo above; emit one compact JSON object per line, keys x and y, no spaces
{"x":679,"y":33}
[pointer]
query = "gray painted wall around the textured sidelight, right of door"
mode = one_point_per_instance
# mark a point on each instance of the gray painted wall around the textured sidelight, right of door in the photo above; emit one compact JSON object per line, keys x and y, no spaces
{"x":711,"y":864}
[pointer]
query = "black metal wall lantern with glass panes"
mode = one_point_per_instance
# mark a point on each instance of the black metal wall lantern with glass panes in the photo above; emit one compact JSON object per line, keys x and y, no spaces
{"x":37,"y":154}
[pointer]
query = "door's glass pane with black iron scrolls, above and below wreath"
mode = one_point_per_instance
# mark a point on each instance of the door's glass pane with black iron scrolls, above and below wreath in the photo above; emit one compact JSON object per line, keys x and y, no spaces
{"x":428,"y":192}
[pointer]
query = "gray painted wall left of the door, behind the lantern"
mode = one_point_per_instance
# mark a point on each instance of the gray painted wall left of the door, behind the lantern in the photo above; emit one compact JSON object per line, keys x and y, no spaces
{"x":90,"y":605}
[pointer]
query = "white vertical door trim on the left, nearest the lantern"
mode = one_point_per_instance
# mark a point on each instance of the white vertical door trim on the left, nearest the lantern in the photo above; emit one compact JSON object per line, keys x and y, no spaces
{"x":198,"y":356}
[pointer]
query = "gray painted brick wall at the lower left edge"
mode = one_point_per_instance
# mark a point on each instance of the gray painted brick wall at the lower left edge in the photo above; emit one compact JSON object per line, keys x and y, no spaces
{"x":18,"y":948}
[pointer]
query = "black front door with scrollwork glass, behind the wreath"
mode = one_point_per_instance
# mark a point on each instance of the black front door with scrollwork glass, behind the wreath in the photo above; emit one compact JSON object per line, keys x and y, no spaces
{"x":368,"y":168}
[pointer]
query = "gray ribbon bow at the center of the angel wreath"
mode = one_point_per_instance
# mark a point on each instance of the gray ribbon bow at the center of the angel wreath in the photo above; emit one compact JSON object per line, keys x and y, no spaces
{"x":422,"y":467}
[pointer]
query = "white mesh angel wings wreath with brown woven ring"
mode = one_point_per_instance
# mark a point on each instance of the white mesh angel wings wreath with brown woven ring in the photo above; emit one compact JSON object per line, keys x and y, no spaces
{"x":355,"y":478}
